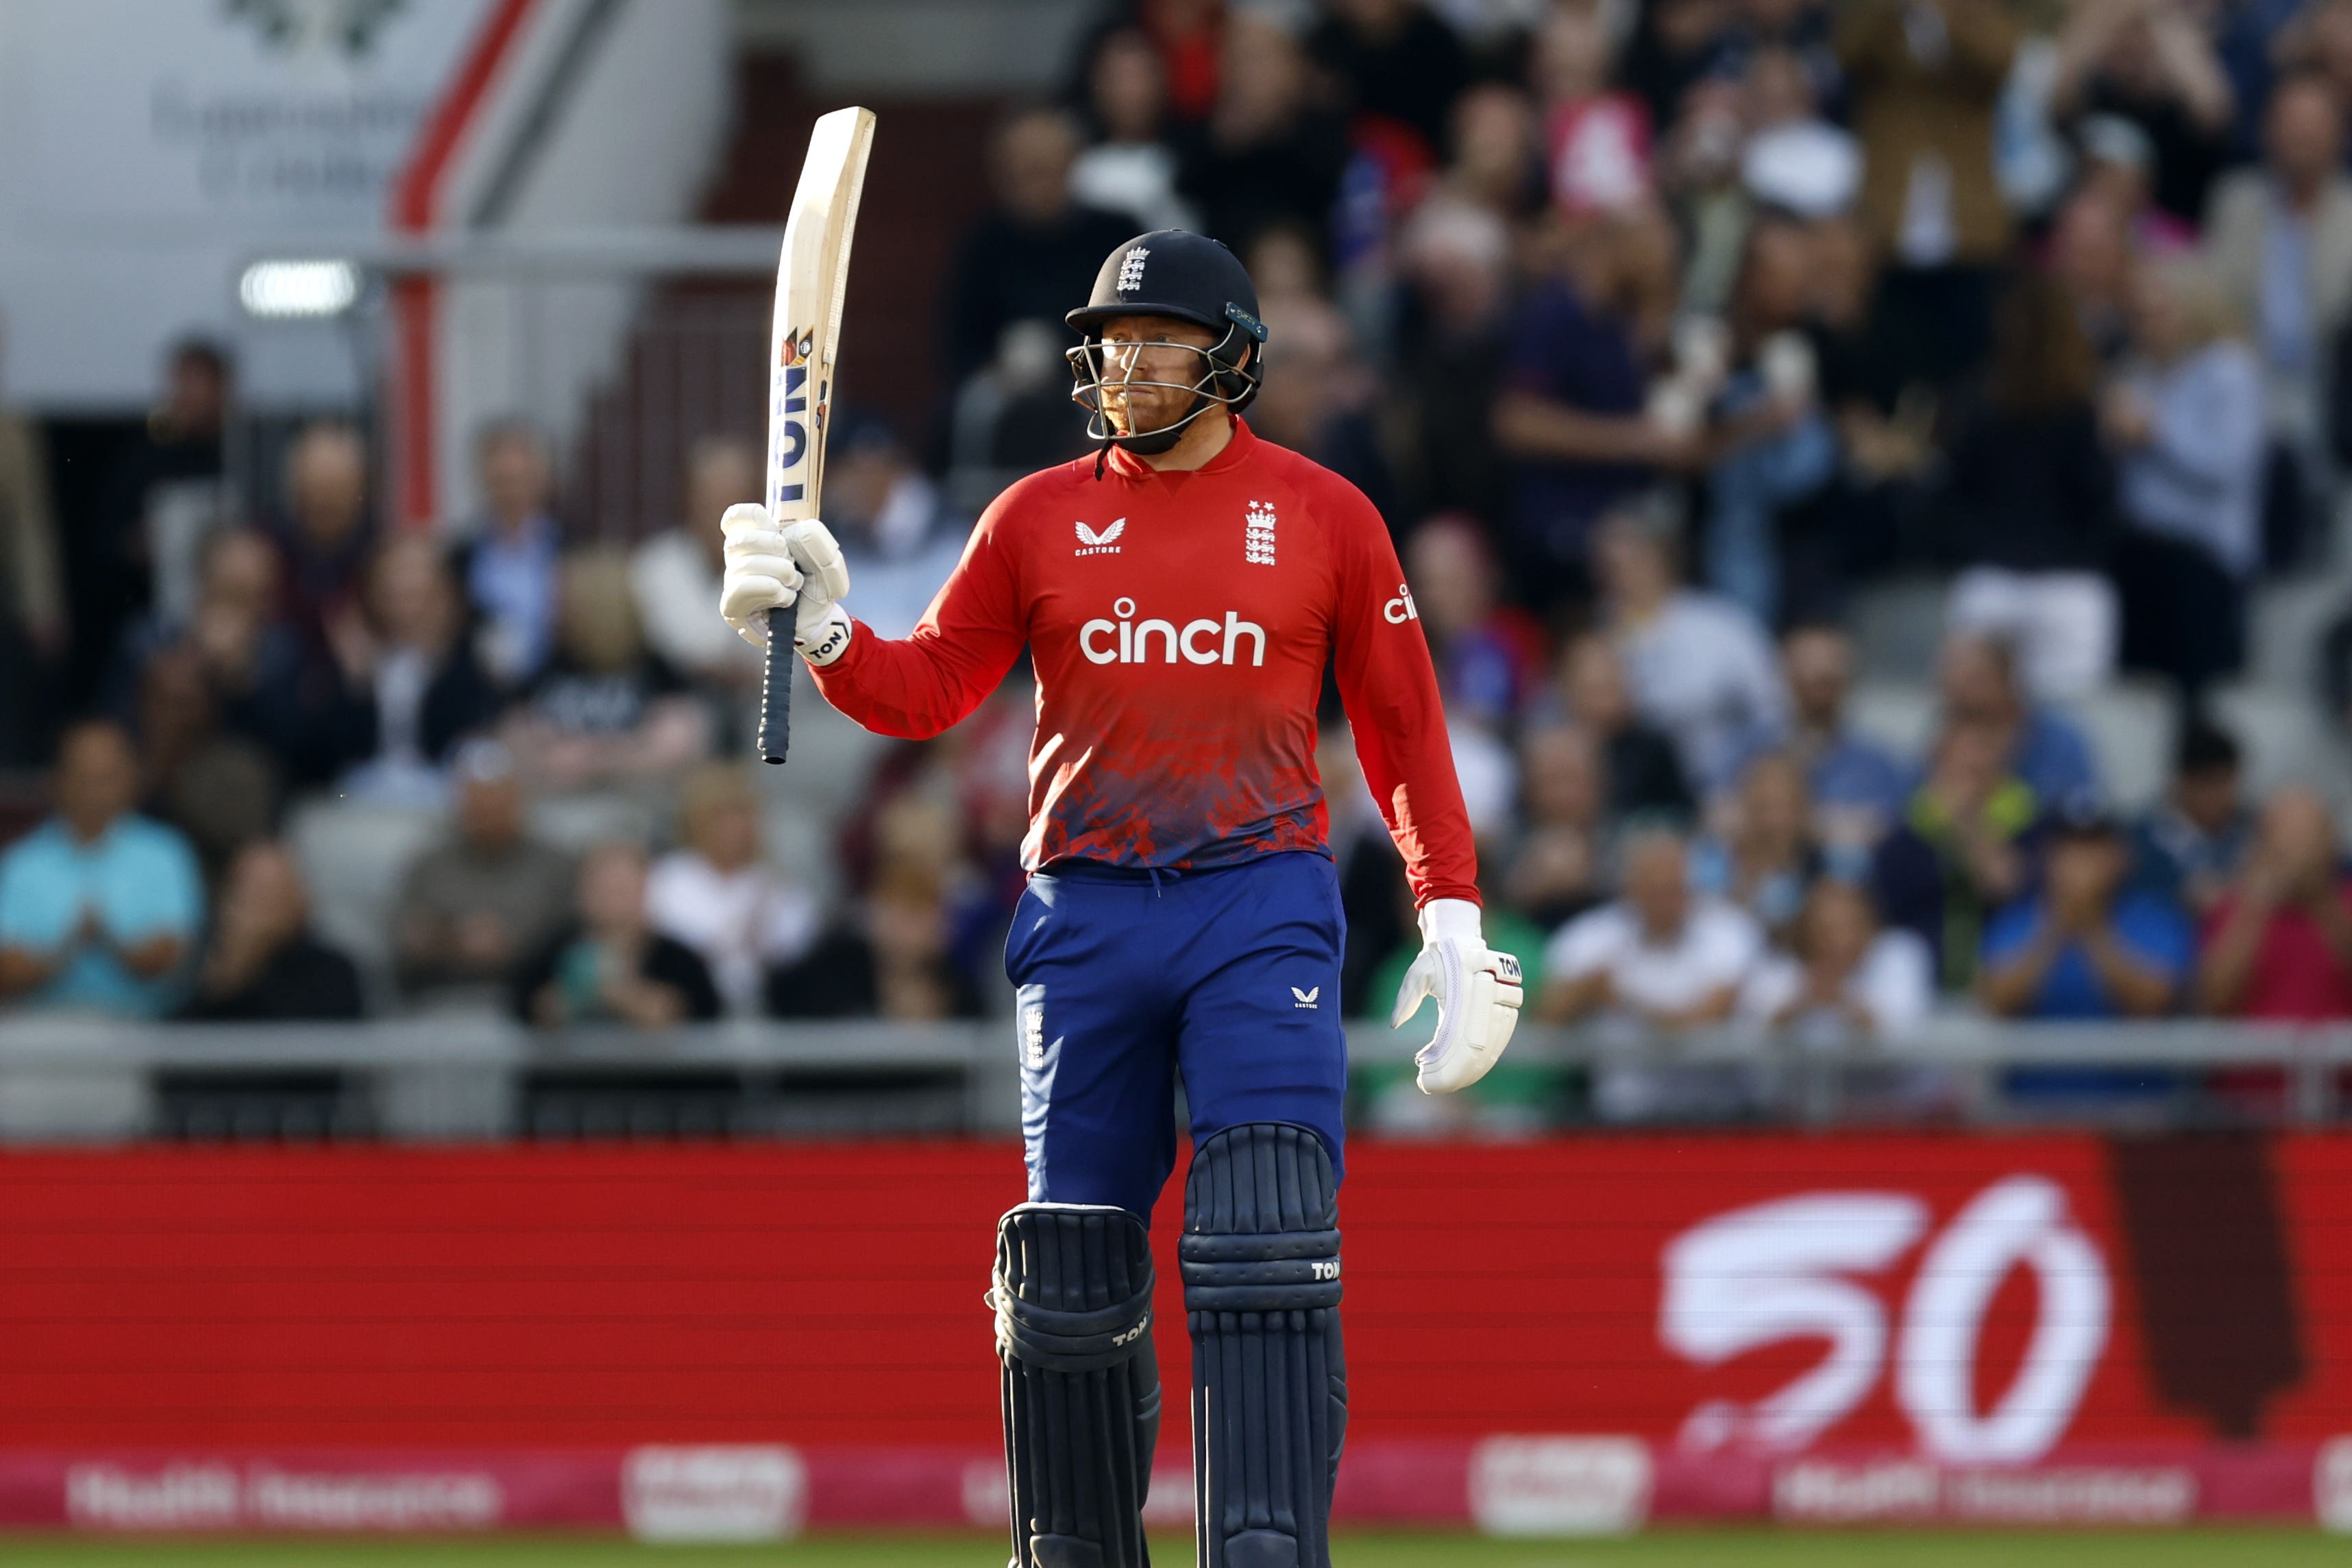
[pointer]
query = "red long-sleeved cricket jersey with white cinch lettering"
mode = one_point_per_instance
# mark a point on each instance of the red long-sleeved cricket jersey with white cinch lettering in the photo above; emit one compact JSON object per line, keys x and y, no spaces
{"x":1180,"y":626}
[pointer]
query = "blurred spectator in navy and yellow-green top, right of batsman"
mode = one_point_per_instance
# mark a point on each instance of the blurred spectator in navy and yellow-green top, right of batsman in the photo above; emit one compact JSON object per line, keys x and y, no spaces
{"x":1956,"y":859}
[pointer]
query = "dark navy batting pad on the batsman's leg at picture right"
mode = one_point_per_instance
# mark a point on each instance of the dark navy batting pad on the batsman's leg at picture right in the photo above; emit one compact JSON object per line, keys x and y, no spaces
{"x":1269,"y":1376}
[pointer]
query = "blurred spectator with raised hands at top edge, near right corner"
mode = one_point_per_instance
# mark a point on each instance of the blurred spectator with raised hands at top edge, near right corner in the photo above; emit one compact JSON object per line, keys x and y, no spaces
{"x":2153,"y":67}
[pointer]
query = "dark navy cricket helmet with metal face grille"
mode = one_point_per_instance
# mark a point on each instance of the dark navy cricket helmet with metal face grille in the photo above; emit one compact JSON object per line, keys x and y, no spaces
{"x":1184,"y":276}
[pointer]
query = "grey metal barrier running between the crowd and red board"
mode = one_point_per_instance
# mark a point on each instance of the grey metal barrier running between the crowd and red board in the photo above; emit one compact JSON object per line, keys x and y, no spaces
{"x":425,"y":1080}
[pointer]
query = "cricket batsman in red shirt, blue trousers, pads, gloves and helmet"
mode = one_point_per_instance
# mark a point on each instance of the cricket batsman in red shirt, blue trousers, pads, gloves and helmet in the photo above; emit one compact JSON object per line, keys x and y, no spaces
{"x":1182,"y":594}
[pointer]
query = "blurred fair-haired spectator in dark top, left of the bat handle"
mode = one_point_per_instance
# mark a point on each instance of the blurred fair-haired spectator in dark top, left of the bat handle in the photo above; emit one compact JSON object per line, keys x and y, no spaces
{"x":606,"y":711}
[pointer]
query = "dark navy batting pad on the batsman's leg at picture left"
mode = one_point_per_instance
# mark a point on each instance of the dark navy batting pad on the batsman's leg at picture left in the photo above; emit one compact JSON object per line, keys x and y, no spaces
{"x":1074,"y":1299}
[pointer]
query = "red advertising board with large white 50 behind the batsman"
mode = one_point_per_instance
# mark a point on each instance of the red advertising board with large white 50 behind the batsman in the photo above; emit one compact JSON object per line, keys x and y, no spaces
{"x":1775,"y":1318}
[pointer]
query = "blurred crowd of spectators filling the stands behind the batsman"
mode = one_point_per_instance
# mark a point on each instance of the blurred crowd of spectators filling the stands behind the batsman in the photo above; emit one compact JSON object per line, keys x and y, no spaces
{"x":1662,"y":333}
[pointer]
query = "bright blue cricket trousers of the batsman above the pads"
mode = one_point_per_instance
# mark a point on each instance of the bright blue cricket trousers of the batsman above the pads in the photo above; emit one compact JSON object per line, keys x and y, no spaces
{"x":1130,"y":979}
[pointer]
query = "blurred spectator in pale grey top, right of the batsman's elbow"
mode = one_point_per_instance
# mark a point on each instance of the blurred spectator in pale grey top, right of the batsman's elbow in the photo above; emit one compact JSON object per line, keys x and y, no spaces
{"x":1697,"y":664}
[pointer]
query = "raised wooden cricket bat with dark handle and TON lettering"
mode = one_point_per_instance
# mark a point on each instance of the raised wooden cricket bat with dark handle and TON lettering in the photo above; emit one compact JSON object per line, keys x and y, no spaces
{"x":813,"y":281}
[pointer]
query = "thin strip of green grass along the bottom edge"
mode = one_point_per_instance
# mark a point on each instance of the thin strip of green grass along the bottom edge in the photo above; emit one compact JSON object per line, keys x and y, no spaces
{"x":1657,"y":1550}
